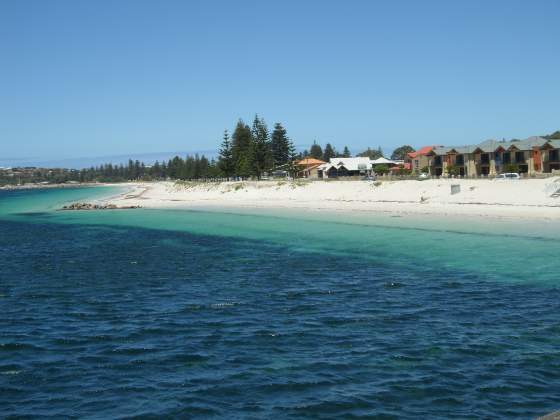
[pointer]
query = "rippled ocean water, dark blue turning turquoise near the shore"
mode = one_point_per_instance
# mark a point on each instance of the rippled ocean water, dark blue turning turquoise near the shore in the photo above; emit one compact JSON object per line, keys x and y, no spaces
{"x":233,"y":314}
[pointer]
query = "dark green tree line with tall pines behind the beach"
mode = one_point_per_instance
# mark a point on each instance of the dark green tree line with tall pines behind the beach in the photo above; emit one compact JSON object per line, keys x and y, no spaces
{"x":249,"y":152}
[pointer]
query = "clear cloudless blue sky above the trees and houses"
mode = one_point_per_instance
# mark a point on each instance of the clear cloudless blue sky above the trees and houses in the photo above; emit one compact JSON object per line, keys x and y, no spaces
{"x":94,"y":78}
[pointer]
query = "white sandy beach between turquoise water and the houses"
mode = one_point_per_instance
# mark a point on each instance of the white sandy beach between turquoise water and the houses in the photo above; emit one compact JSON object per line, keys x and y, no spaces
{"x":530,"y":198}
